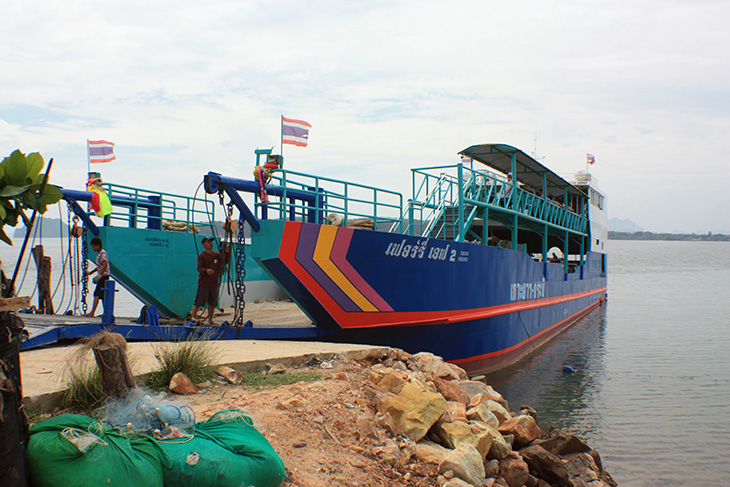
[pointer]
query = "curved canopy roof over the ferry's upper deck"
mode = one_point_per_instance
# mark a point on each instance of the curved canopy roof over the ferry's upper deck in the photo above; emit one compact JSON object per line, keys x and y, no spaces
{"x":529,"y":171}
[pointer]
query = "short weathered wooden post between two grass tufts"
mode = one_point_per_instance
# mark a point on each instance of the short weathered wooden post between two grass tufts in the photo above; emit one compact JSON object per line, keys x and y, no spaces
{"x":110,"y":352}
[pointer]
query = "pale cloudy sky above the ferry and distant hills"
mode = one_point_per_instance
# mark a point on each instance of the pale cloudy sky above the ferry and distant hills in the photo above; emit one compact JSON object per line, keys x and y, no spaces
{"x":183,"y":88}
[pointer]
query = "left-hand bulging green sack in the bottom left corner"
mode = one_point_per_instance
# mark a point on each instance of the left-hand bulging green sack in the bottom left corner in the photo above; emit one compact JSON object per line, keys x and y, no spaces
{"x":77,"y":451}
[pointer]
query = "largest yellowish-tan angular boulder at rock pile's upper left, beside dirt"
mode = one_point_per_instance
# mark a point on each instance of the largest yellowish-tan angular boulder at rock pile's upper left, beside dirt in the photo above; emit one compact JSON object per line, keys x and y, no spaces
{"x":414,"y":410}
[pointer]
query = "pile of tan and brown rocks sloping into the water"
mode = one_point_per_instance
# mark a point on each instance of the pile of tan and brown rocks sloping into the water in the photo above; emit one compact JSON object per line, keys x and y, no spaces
{"x":437,"y":415}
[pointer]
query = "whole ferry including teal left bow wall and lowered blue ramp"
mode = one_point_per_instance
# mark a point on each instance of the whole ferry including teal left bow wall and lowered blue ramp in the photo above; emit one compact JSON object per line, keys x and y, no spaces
{"x":487,"y":260}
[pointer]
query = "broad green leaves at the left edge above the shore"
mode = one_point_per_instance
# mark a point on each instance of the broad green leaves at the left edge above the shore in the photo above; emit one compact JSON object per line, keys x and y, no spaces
{"x":20,"y":183}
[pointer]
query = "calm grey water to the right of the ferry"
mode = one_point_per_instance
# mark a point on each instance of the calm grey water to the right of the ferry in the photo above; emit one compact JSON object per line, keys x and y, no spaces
{"x":651,"y":391}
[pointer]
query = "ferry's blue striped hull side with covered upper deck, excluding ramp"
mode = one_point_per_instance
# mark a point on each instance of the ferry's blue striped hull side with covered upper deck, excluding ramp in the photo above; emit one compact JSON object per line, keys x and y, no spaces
{"x":487,"y":260}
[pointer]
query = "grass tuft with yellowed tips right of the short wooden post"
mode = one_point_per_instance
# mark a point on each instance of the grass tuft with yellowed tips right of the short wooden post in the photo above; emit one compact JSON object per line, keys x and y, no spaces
{"x":195,"y":358}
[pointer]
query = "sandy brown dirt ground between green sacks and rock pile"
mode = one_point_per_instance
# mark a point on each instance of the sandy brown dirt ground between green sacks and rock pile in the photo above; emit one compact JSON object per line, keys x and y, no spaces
{"x":324,"y":431}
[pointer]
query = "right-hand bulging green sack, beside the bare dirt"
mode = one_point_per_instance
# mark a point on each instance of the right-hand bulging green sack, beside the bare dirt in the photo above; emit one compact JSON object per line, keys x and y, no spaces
{"x":225,"y":451}
